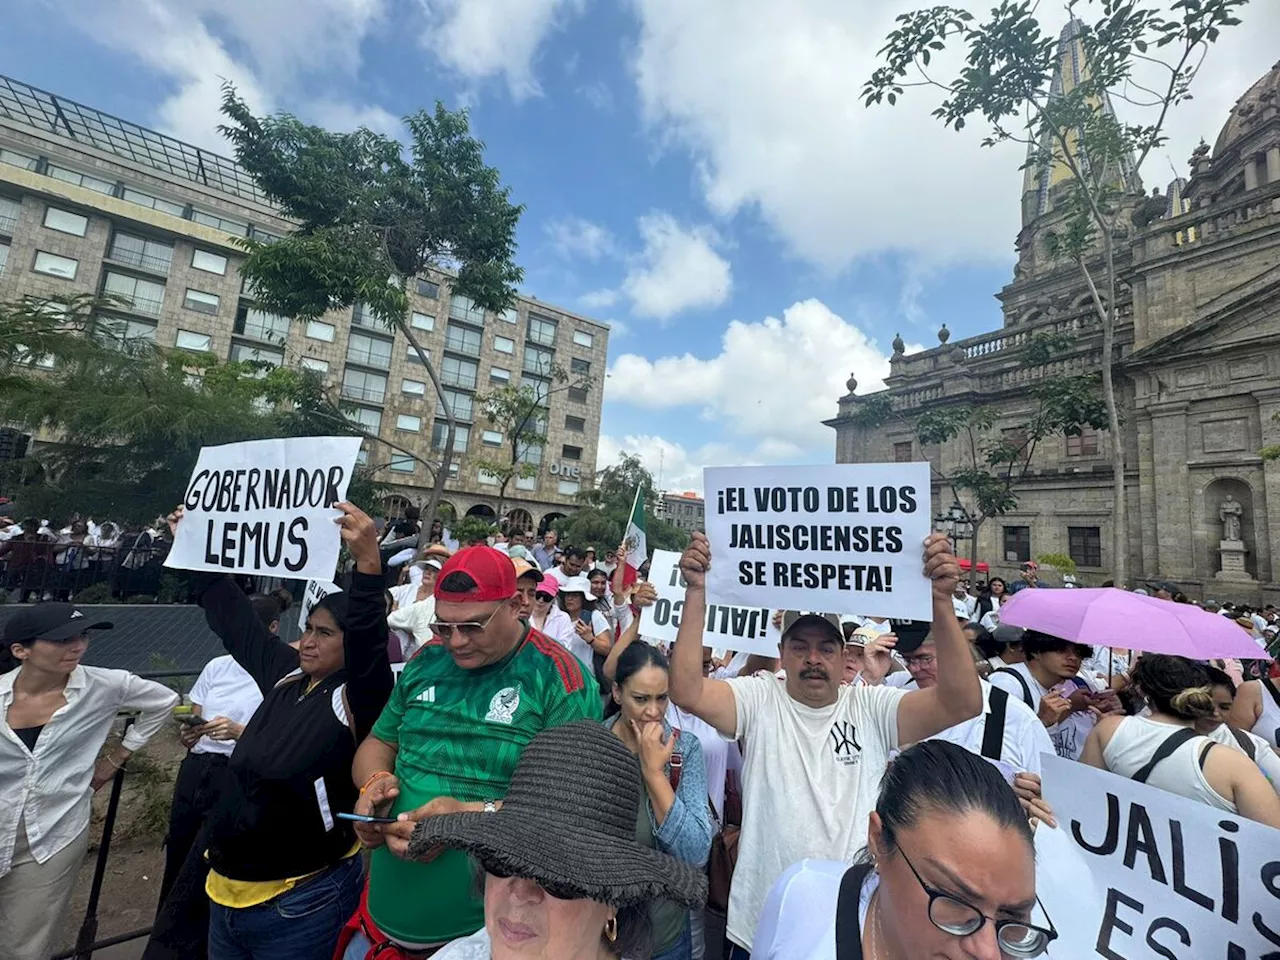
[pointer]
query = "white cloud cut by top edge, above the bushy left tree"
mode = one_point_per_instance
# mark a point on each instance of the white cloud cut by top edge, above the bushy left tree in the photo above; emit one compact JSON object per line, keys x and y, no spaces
{"x":482,"y":39}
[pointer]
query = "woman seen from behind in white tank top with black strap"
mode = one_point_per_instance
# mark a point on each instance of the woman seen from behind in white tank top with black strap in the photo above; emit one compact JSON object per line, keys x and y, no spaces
{"x":1164,"y":749}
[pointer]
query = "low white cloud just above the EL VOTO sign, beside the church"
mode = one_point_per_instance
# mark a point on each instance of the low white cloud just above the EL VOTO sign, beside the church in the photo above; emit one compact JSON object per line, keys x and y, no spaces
{"x":774,"y":382}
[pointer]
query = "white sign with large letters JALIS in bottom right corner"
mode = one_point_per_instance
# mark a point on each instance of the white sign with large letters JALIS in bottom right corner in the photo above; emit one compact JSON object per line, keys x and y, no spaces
{"x":1174,"y":879}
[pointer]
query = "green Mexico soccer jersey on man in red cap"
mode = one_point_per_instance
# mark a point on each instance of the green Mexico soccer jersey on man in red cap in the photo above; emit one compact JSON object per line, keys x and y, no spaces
{"x":459,"y":734}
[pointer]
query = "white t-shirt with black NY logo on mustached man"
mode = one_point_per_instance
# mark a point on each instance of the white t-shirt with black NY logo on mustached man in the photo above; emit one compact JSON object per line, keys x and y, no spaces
{"x":811,"y":780}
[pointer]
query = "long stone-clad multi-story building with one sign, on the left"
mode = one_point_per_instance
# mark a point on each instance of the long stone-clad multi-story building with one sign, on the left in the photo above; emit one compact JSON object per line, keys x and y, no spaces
{"x":93,"y":204}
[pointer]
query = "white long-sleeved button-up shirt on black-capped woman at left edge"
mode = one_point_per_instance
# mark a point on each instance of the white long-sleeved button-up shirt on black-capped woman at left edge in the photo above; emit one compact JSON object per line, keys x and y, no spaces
{"x":51,"y":788}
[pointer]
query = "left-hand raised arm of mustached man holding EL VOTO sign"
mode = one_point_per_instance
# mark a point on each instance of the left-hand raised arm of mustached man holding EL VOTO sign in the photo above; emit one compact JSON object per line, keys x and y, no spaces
{"x":710,"y":700}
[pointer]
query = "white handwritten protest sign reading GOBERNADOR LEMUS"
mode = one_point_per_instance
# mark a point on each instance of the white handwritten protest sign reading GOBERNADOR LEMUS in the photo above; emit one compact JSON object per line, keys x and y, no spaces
{"x":266,"y":508}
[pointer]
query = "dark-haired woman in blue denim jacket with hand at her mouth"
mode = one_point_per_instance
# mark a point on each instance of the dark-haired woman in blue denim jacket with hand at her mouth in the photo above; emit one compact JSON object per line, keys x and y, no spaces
{"x":675,"y":819}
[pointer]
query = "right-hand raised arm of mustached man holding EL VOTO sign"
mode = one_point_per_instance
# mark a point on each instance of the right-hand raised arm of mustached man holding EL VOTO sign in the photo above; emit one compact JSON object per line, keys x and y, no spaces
{"x":958,"y":694}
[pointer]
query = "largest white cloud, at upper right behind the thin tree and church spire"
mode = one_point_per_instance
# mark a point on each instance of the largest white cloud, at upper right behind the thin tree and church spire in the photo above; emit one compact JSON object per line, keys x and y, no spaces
{"x":769,"y":108}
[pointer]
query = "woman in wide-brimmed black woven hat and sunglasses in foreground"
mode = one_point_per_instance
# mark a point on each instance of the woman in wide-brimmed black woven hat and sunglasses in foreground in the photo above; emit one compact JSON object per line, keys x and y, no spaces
{"x":564,"y":876}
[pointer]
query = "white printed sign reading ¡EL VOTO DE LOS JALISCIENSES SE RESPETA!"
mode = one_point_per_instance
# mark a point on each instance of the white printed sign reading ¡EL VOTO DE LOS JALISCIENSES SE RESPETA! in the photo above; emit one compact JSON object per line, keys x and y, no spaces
{"x":845,"y":540}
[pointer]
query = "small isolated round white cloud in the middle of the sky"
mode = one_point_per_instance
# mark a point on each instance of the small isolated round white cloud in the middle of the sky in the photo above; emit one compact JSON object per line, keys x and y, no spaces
{"x":679,"y":269}
